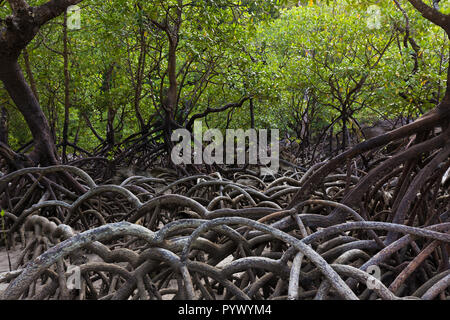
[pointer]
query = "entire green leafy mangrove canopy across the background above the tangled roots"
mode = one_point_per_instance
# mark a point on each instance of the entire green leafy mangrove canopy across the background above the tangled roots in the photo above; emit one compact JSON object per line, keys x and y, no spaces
{"x":292,"y":57}
